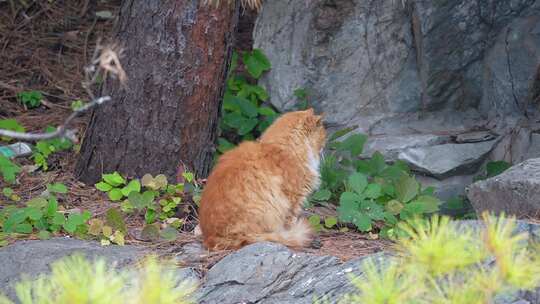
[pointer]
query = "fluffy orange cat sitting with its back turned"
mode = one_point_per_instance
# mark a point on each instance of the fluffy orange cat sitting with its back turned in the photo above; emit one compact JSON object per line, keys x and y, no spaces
{"x":255,"y":192}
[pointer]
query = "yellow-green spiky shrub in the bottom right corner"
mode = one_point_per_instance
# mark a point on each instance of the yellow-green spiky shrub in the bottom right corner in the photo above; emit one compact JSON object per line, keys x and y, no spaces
{"x":437,"y":262}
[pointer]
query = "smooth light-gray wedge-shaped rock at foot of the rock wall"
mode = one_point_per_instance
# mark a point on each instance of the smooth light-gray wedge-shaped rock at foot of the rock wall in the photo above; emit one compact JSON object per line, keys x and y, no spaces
{"x":449,"y":159}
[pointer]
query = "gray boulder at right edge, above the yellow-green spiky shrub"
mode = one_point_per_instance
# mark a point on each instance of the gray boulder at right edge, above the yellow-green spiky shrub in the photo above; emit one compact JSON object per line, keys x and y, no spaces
{"x":515,"y":191}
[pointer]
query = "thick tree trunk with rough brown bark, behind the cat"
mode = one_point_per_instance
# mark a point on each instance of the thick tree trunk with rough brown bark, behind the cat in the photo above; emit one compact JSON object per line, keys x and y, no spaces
{"x":176,"y":56}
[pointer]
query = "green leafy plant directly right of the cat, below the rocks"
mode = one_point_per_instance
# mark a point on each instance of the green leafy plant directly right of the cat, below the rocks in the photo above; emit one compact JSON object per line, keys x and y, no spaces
{"x":370,"y":191}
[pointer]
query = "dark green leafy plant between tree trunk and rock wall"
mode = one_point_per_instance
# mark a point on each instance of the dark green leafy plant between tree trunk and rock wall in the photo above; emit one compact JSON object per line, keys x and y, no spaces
{"x":244,"y":113}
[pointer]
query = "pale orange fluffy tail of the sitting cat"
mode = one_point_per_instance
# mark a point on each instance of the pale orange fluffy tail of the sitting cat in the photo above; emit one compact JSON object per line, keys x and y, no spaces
{"x":297,"y":236}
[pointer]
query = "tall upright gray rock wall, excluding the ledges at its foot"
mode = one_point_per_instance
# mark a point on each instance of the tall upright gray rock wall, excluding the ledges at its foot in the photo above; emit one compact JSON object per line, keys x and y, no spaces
{"x":366,"y":60}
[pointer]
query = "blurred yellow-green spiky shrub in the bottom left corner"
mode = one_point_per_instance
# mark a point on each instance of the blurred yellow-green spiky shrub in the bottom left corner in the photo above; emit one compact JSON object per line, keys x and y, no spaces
{"x":76,"y":280}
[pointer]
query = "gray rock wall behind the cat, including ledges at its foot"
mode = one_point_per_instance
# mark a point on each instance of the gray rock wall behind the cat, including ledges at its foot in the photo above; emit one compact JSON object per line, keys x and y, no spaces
{"x":413,"y":75}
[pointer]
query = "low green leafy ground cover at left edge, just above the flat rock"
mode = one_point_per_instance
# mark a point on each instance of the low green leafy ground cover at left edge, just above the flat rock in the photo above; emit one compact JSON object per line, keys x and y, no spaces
{"x":43,"y":216}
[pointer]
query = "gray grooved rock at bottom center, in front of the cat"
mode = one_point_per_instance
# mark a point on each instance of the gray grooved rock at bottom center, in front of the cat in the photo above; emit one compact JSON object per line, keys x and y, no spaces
{"x":270,"y":273}
